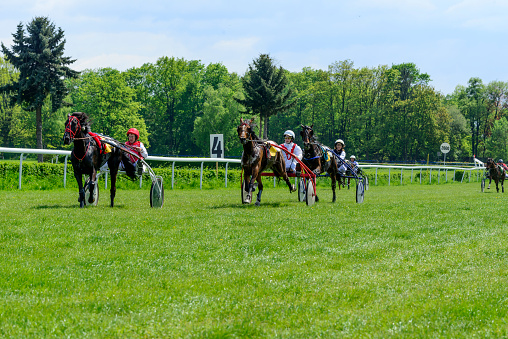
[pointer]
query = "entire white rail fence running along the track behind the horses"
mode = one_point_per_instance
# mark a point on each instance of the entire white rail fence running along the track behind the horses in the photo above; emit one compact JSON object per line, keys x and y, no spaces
{"x":477,"y":168}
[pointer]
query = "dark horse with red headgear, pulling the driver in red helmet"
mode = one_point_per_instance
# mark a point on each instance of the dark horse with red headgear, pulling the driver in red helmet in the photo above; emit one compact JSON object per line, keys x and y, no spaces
{"x":86,"y":156}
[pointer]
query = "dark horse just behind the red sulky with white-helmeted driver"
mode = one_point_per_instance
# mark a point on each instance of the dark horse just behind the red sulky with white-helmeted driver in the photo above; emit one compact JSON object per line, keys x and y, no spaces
{"x":318,"y":158}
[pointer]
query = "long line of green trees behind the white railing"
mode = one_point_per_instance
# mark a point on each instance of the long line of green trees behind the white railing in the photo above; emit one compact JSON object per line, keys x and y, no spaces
{"x":383,"y":113}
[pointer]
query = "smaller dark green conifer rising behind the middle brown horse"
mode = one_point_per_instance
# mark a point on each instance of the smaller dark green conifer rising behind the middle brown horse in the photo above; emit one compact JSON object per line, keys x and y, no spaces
{"x":266,"y":90}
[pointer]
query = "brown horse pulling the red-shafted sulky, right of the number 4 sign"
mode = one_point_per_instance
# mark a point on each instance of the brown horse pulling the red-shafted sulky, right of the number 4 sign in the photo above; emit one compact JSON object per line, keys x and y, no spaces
{"x":256,"y":158}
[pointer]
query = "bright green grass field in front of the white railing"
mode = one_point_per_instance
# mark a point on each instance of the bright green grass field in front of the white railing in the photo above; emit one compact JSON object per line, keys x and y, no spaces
{"x":411,"y":261}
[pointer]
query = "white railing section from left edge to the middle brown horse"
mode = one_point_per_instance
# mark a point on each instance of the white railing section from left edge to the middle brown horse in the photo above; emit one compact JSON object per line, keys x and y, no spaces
{"x":24,"y":151}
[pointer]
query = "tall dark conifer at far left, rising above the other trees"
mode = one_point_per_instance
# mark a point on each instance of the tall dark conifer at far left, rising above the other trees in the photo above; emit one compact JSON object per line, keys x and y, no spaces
{"x":38,"y":55}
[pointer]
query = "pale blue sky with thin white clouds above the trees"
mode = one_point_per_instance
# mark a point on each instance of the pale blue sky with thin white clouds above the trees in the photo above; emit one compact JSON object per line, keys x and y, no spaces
{"x":450,"y":40}
